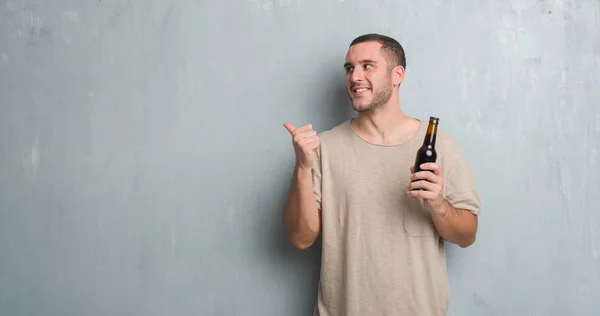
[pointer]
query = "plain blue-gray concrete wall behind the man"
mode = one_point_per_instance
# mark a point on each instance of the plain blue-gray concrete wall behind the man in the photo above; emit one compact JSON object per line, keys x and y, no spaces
{"x":143,"y":161}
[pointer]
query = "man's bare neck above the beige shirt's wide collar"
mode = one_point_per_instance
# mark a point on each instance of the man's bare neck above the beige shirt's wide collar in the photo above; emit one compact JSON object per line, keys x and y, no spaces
{"x":387,"y":125}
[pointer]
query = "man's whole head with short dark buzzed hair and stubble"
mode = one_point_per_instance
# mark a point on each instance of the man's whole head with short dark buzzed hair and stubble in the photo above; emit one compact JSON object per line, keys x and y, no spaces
{"x":374,"y":67}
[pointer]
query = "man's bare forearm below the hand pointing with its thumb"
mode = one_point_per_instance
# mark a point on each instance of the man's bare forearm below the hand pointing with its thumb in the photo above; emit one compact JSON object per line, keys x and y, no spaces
{"x":301,"y":215}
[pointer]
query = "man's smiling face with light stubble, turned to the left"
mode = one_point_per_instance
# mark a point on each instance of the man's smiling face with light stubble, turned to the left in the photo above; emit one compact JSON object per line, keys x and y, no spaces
{"x":368,"y":79}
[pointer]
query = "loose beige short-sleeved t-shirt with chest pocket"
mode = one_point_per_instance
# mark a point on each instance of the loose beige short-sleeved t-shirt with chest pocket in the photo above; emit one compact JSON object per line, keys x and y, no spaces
{"x":381,"y":252}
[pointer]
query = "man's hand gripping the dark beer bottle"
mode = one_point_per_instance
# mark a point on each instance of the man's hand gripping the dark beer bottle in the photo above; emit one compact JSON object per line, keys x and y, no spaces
{"x":431,"y":181}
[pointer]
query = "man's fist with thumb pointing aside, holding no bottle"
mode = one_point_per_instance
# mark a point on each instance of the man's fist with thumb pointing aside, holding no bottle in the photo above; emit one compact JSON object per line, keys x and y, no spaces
{"x":306,"y":142}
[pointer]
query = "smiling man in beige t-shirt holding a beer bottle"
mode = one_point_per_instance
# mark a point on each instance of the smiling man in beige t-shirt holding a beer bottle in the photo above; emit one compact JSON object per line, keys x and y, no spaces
{"x":383,"y":241}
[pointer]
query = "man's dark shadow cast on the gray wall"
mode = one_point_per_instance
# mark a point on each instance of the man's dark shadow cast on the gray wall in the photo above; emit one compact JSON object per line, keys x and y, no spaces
{"x":301,"y":267}
